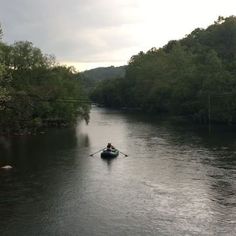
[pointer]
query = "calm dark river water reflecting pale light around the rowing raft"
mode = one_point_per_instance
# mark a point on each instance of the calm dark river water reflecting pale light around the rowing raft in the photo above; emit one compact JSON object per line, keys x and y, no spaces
{"x":177,"y":179}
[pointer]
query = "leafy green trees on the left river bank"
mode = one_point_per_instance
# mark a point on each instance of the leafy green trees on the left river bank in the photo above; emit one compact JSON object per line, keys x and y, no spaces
{"x":36,"y":92}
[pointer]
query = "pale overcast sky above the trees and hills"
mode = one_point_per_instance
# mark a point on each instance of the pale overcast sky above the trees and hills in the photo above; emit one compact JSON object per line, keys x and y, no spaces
{"x":93,"y":33}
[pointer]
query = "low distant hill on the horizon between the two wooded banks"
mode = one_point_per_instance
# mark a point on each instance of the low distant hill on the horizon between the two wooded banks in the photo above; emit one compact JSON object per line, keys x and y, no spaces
{"x":102,"y":73}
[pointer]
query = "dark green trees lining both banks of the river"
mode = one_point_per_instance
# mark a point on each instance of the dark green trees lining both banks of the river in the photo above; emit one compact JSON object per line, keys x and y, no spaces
{"x":194,"y":77}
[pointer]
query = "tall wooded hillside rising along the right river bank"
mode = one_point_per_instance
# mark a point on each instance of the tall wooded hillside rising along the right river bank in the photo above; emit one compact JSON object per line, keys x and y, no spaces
{"x":194,"y":77}
